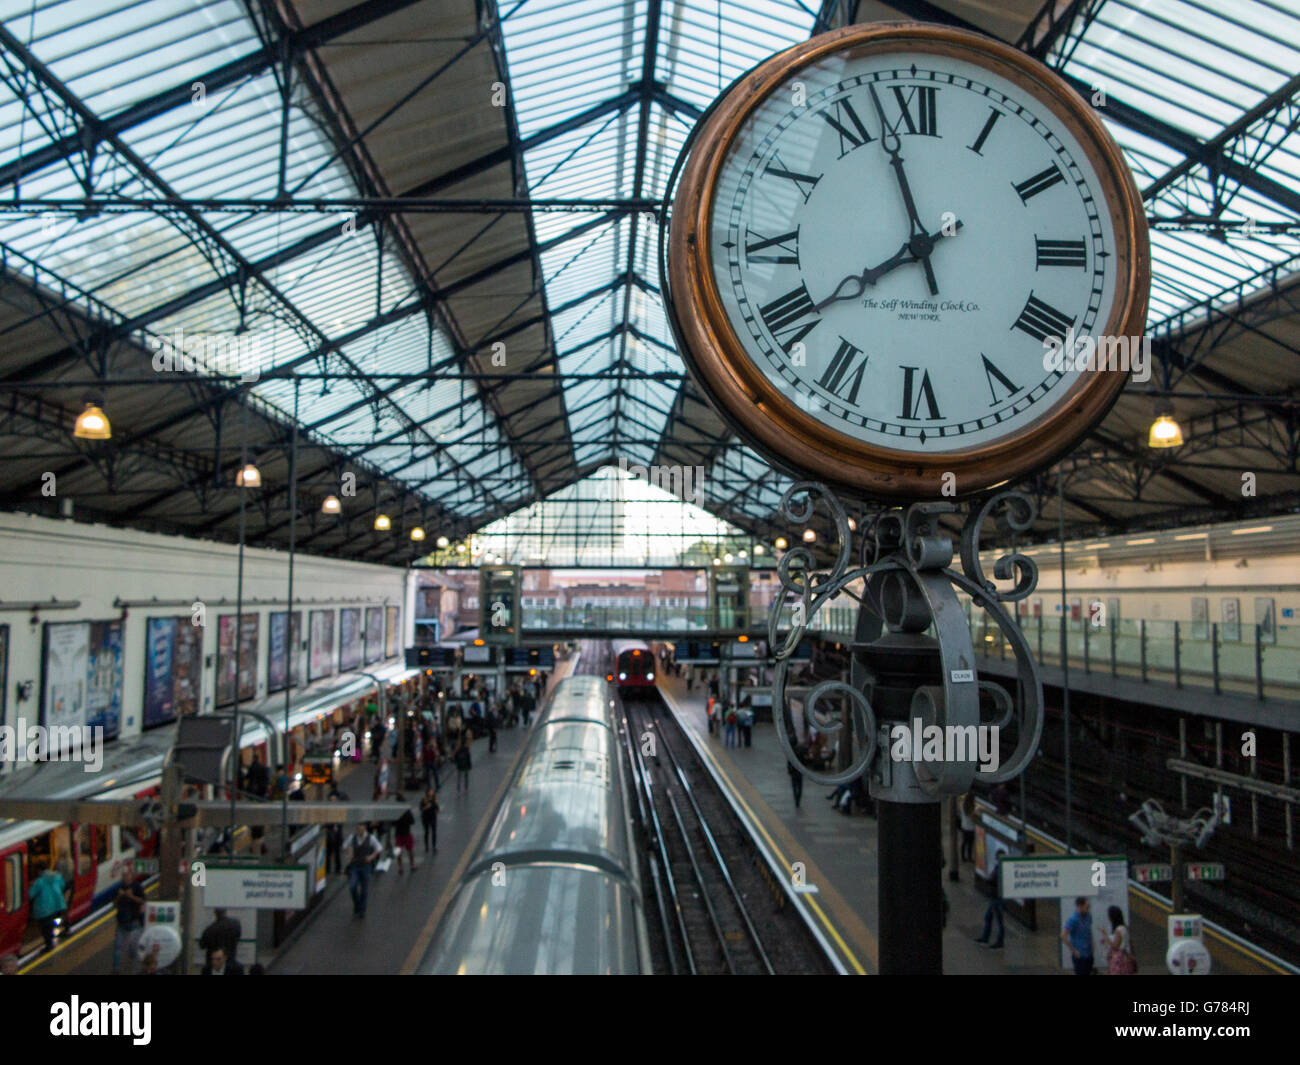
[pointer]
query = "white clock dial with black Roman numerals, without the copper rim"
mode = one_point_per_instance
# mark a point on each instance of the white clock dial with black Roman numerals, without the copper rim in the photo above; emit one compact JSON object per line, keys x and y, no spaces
{"x":898,"y":240}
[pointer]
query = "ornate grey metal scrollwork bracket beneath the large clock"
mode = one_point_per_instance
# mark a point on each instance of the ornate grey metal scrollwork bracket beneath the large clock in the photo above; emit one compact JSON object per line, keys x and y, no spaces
{"x":909,"y":586}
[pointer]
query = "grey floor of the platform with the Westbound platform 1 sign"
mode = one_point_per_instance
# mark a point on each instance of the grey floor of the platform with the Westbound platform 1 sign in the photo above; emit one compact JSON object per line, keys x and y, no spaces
{"x":402,"y":911}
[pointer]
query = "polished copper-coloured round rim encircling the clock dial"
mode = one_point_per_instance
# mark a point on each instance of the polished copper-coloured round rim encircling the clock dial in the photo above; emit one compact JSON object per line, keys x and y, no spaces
{"x":765,"y":415}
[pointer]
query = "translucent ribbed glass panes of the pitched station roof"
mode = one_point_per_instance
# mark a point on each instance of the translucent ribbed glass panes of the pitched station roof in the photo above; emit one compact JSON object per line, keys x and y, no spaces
{"x":1193,"y":72}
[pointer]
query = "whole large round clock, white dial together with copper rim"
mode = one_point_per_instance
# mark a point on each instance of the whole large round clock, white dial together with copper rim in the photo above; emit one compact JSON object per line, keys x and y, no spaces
{"x":904,"y":249}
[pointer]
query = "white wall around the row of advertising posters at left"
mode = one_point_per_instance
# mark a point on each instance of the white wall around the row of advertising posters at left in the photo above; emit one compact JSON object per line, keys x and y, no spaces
{"x":45,"y":559}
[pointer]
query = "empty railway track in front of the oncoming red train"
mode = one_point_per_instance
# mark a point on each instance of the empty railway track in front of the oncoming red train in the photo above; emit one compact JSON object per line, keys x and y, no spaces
{"x":718,"y":910}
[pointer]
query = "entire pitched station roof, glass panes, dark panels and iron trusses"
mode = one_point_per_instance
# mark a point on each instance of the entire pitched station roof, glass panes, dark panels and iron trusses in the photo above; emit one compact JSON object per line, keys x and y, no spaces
{"x":413,"y":249}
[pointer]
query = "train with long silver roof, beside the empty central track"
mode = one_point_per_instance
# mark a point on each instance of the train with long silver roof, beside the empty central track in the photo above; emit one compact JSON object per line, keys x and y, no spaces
{"x":554,"y":886}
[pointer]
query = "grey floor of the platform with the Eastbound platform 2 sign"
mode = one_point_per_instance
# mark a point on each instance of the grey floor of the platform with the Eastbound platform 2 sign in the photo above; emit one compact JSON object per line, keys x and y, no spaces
{"x":839,"y":858}
